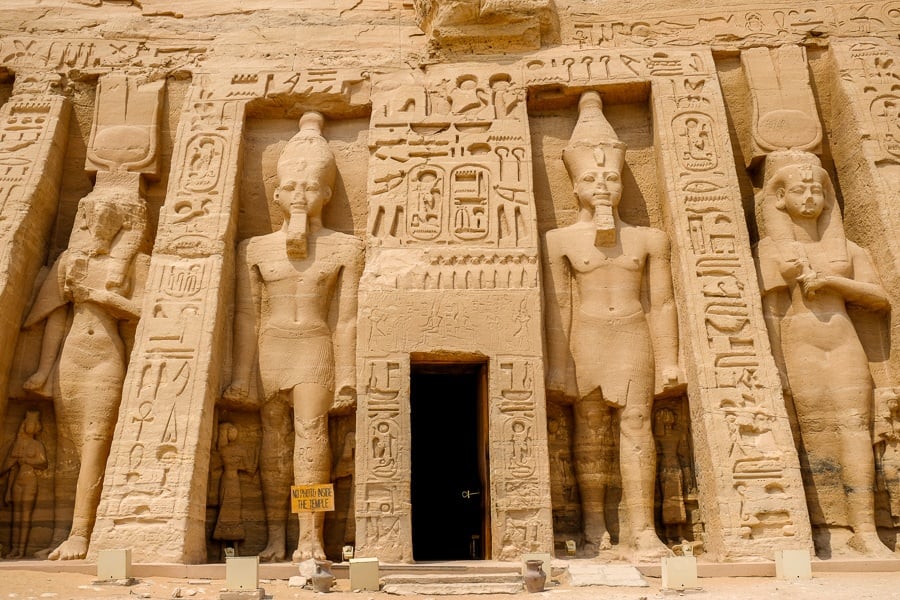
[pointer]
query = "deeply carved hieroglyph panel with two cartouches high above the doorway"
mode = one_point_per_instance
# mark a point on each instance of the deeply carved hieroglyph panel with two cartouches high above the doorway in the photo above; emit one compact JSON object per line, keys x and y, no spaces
{"x":449,"y":163}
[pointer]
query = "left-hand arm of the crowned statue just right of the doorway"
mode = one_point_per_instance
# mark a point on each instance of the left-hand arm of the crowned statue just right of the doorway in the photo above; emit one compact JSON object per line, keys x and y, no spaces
{"x":558,"y":316}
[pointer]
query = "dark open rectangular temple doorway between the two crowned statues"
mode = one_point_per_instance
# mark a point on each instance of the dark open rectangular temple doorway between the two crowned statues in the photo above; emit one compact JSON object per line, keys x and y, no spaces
{"x":449,"y":461}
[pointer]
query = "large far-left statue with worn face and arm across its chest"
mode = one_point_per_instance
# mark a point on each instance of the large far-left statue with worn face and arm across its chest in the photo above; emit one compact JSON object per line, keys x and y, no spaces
{"x":94,"y":282}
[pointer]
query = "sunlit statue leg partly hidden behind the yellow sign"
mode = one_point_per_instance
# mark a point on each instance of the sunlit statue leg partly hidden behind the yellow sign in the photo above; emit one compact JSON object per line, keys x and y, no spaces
{"x":312,"y":461}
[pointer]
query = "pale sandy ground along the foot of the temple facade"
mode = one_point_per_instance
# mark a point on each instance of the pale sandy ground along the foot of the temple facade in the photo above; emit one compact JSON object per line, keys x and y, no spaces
{"x":29,"y":585}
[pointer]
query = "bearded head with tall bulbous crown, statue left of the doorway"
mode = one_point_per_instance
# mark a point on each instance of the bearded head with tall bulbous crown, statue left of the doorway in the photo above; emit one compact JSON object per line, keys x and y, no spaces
{"x":306,"y":174}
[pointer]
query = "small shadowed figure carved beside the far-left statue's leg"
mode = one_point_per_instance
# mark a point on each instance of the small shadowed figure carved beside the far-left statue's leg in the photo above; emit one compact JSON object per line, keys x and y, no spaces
{"x":26,"y":457}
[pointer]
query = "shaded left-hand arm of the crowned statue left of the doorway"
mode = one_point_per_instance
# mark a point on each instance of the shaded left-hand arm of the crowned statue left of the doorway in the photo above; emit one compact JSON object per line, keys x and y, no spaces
{"x":247,"y":290}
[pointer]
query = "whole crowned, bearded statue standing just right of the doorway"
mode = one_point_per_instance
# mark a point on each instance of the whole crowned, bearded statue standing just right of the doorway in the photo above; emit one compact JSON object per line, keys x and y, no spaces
{"x":601,"y":270}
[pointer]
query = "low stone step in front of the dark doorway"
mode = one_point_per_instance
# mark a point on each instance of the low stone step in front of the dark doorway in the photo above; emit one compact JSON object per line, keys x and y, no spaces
{"x":441,"y":584}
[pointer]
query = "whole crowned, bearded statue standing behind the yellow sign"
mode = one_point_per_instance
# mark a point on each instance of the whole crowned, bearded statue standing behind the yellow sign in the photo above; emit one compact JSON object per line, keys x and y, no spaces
{"x":298,"y":288}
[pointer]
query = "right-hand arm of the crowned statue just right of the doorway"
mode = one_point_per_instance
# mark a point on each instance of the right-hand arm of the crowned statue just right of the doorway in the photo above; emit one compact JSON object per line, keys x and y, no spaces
{"x":663,"y":316}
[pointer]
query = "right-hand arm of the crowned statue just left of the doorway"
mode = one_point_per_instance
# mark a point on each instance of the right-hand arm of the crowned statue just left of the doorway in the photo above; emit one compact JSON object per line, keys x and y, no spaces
{"x":345,"y":328}
